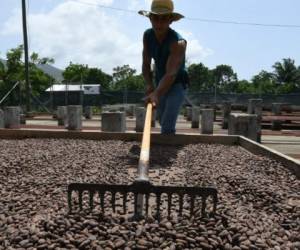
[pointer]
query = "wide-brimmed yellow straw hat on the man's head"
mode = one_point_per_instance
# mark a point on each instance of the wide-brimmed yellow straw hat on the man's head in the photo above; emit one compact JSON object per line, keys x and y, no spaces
{"x":162,"y":7}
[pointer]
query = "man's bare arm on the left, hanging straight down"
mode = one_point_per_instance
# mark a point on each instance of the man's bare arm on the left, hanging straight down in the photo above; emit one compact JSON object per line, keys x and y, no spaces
{"x":146,"y":69}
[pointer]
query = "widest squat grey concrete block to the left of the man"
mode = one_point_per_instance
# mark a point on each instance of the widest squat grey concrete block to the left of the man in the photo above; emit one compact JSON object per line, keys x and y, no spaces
{"x":113,"y":122}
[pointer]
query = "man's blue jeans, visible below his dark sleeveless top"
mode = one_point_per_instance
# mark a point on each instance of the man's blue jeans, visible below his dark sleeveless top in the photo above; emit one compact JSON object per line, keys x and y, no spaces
{"x":169,"y":107}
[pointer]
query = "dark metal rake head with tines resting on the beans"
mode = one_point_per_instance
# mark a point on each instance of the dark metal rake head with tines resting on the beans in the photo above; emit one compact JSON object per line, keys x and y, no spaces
{"x":145,"y":189}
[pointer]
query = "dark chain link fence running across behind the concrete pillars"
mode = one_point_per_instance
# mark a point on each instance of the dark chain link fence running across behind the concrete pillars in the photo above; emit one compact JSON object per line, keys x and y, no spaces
{"x":48,"y":101}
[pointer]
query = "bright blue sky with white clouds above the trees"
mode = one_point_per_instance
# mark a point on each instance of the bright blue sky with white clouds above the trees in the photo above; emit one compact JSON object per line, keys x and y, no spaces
{"x":82,"y":31}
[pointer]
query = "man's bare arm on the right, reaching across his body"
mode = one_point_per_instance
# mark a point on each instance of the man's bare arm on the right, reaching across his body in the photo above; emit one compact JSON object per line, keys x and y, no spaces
{"x":173,"y":64}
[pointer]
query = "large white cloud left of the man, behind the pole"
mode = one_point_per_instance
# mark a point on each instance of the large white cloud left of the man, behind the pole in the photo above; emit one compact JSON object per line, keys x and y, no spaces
{"x":79,"y":33}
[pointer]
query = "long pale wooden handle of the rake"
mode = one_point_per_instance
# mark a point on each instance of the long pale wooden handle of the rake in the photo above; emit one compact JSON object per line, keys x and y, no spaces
{"x":143,"y":167}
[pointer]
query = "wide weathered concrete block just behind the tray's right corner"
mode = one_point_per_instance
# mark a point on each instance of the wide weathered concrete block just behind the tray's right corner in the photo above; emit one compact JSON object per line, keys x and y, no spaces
{"x":243,"y":124}
